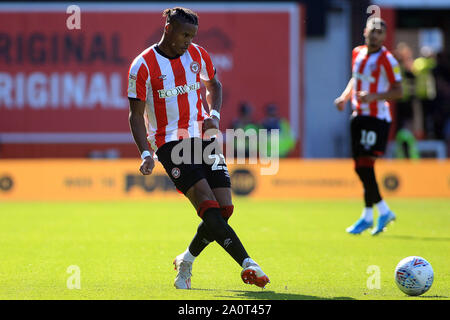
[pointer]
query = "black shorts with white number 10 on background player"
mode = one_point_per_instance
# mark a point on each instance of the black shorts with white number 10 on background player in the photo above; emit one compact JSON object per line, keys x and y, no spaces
{"x":369,"y":136}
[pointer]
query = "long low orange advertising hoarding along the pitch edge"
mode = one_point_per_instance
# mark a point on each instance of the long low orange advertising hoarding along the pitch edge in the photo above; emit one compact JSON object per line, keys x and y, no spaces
{"x":80,"y":180}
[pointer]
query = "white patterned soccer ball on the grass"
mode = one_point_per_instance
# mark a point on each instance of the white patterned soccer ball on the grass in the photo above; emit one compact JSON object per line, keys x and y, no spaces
{"x":414,"y":275}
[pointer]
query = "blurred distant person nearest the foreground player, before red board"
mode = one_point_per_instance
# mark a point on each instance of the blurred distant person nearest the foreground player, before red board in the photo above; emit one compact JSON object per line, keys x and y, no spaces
{"x":245,"y":122}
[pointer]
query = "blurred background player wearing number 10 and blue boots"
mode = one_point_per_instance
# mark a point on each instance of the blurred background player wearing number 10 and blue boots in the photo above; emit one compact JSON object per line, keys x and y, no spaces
{"x":375,"y":79}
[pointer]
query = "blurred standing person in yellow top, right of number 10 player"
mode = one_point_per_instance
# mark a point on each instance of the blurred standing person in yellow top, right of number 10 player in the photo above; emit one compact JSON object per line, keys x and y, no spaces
{"x":426,"y":87}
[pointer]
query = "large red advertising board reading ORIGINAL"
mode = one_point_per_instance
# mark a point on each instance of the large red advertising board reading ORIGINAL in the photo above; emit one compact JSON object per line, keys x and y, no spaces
{"x":63,"y":91}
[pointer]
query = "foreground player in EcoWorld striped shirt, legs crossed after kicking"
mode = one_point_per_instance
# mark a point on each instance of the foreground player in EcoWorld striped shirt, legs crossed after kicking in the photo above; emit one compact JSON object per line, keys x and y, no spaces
{"x":164,"y":85}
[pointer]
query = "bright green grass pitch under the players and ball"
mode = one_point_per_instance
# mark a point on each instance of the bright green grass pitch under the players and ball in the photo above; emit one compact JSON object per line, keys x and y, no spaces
{"x":124,"y":250}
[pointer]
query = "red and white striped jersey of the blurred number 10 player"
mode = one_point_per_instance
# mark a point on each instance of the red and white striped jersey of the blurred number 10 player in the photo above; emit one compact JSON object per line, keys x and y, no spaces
{"x":373,"y":73}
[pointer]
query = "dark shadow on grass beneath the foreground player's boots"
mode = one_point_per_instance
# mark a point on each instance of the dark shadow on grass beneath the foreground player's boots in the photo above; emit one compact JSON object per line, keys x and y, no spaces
{"x":269,"y":295}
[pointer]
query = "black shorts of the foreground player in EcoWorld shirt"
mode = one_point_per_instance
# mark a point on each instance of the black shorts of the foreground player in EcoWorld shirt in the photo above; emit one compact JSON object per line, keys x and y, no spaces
{"x":189,"y":160}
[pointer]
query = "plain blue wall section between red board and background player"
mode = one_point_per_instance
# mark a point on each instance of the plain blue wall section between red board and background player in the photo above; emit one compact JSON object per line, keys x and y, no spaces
{"x":326,"y":130}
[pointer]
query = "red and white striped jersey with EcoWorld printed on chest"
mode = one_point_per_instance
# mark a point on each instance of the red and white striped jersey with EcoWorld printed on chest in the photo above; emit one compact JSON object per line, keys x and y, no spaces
{"x":171,"y":90}
